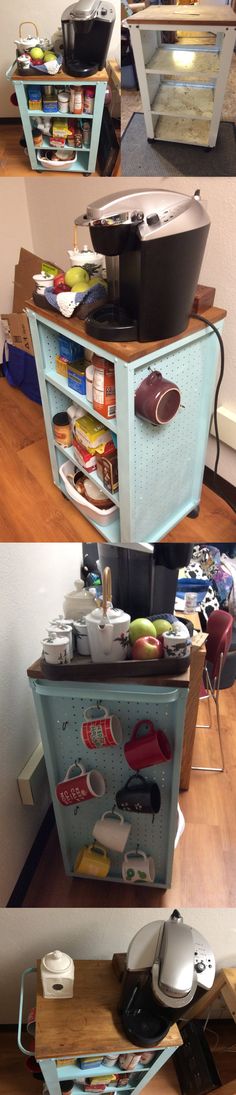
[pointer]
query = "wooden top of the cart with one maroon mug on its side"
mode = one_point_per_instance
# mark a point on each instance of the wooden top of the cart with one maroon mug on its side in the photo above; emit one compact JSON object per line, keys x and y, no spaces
{"x":128,"y":352}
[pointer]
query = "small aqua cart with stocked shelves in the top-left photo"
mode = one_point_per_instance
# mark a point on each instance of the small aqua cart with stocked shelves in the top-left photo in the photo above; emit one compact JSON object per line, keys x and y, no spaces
{"x":86,"y":158}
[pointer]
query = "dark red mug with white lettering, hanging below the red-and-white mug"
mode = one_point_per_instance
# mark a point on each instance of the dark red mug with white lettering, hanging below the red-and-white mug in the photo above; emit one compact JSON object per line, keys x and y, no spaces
{"x":78,"y":789}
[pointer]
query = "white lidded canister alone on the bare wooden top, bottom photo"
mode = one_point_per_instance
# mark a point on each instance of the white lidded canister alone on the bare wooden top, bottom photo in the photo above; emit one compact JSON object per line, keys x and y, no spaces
{"x":57,"y":972}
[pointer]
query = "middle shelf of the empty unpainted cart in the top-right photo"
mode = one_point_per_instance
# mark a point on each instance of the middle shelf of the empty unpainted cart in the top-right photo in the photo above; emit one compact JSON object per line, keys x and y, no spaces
{"x":179,"y":101}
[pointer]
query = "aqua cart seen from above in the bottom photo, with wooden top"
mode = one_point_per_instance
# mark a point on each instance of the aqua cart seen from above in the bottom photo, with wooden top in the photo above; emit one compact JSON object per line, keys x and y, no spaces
{"x":86,"y":1027}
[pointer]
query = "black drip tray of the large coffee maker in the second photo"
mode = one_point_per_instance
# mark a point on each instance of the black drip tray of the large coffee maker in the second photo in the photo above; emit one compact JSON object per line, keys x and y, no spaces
{"x":112,"y":324}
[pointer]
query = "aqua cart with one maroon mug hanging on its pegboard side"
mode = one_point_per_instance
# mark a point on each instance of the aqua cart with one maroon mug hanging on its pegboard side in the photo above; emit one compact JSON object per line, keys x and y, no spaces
{"x":160,"y":469}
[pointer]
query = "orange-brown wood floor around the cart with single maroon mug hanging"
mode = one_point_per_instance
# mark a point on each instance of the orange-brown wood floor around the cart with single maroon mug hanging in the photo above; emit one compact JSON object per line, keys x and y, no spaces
{"x":32,"y":508}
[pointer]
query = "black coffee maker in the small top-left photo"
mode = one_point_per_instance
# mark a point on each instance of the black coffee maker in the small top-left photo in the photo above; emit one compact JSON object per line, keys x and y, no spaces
{"x":87,"y":29}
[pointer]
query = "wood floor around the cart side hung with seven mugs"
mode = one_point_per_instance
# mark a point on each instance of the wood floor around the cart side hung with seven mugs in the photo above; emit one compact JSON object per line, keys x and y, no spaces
{"x":205,"y":863}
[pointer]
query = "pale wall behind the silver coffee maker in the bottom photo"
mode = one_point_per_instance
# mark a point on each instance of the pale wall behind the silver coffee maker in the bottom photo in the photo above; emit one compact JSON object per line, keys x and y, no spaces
{"x":27,"y":935}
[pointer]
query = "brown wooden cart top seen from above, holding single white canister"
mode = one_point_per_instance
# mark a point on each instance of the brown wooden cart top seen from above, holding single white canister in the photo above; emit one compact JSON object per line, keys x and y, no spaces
{"x":90,"y":1022}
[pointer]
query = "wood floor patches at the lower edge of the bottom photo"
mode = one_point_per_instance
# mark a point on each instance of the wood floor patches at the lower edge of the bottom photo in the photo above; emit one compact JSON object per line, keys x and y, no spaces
{"x":16,"y":1079}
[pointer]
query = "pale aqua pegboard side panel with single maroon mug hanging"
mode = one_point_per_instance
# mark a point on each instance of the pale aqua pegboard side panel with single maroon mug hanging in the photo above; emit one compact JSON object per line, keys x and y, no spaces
{"x":168,"y":471}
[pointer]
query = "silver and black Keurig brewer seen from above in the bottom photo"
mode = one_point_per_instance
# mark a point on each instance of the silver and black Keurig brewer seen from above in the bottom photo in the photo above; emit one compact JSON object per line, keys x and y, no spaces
{"x":167,"y":964}
